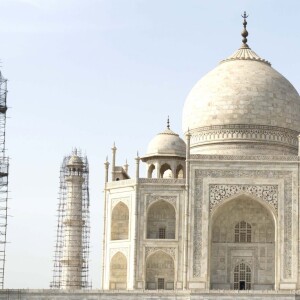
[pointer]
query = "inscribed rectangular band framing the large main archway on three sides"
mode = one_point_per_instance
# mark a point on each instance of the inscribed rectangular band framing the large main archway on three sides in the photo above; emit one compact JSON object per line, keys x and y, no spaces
{"x":287,"y":178}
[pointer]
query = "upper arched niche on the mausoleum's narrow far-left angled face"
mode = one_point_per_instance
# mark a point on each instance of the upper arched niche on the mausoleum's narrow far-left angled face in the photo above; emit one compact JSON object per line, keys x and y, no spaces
{"x":119,"y":222}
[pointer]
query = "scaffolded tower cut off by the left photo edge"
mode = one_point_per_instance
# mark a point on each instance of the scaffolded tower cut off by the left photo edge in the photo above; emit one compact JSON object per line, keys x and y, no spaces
{"x":3,"y":177}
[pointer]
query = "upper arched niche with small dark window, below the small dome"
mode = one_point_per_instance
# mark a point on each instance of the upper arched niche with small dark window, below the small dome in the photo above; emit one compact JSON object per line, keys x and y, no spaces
{"x":161,"y":221}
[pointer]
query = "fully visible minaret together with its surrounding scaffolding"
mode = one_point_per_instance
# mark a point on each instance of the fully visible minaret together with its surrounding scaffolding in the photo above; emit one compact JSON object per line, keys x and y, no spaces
{"x":72,"y":244}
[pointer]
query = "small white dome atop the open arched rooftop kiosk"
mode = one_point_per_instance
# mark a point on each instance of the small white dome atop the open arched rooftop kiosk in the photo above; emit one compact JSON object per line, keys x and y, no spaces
{"x":166,"y":143}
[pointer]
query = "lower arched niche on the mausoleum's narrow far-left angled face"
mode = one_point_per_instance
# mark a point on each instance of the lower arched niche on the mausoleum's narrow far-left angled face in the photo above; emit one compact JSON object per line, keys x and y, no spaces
{"x":118,"y":272}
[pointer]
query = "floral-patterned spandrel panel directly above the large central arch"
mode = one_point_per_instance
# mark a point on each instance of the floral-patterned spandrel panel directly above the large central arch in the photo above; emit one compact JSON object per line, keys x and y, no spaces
{"x":220,"y":192}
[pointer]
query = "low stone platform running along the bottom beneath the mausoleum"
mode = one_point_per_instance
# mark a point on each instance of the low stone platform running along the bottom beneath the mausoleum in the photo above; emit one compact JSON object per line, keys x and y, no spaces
{"x":11,"y":294}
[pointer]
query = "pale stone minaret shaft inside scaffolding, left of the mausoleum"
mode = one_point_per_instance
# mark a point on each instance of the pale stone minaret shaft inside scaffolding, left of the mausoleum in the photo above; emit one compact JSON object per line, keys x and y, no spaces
{"x":72,"y":261}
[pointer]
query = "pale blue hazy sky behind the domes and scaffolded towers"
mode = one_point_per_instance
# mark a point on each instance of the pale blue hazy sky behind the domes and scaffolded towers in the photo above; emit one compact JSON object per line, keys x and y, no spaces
{"x":90,"y":73}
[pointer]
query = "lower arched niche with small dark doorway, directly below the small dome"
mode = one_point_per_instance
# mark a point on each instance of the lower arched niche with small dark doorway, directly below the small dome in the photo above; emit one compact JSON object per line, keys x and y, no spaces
{"x":160,"y":271}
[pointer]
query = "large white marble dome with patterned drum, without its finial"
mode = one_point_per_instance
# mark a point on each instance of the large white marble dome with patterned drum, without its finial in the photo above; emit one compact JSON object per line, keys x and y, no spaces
{"x":243,"y":106}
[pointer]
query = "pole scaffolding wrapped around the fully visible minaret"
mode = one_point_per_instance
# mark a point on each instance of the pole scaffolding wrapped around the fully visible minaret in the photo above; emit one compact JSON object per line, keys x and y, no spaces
{"x":64,"y":219}
